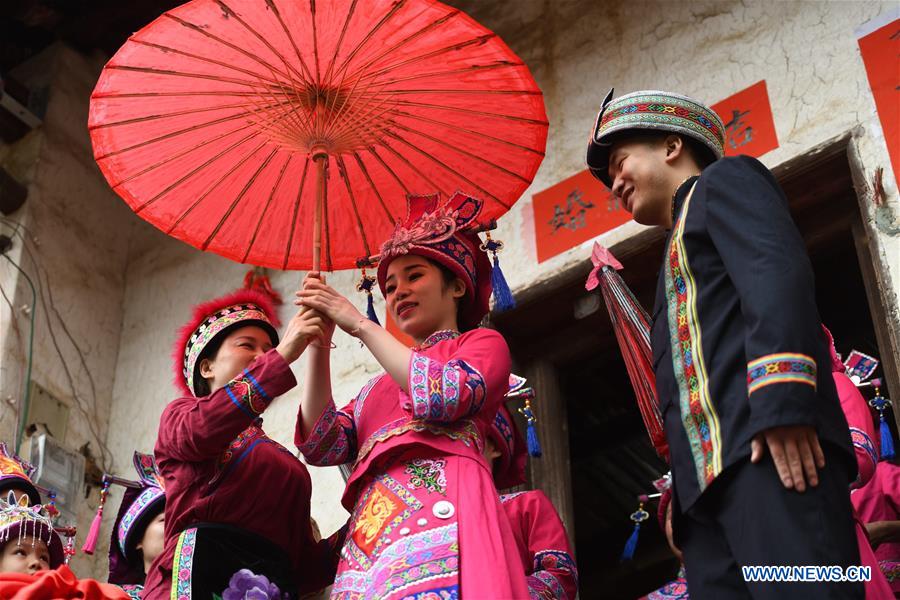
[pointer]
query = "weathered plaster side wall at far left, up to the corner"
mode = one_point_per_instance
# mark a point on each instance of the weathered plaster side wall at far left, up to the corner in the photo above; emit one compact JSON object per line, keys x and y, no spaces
{"x":73,"y":247}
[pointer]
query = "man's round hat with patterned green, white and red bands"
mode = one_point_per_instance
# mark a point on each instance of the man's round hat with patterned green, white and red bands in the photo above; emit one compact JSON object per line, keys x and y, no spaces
{"x":651,"y":110}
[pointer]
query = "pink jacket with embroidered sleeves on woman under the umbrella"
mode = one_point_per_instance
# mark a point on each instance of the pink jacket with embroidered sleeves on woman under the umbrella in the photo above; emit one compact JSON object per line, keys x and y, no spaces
{"x":455,"y":386}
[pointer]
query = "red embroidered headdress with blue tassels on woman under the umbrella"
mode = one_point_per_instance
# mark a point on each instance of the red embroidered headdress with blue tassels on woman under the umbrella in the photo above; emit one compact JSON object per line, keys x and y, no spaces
{"x":447,"y":233}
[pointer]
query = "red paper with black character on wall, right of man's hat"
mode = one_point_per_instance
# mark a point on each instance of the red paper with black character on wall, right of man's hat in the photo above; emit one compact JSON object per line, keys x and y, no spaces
{"x":749,"y":127}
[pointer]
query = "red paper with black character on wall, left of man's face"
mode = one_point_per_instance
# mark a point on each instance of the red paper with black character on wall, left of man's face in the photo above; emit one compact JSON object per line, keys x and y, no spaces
{"x":573,"y":211}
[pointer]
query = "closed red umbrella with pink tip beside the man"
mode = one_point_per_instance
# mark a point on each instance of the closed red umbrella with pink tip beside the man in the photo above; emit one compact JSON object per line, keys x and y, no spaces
{"x":632,"y":326}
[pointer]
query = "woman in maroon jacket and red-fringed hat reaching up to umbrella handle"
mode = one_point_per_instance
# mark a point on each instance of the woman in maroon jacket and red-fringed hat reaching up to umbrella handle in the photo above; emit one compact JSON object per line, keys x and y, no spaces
{"x":235,"y":499}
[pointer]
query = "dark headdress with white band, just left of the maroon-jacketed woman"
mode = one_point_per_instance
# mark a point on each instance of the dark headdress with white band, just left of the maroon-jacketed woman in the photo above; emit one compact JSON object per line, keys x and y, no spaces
{"x":142,"y":501}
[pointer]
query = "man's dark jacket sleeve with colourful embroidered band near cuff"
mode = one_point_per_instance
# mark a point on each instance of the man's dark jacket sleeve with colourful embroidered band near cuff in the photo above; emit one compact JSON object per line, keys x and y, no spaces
{"x":763,"y":253}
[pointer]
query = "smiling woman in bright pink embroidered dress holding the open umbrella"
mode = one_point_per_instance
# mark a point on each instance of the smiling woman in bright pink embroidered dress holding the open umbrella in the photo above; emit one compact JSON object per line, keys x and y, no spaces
{"x":426,"y":521}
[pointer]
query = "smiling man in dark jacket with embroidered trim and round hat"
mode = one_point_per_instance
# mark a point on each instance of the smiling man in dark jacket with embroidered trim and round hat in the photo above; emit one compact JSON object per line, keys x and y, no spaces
{"x":760,"y":450}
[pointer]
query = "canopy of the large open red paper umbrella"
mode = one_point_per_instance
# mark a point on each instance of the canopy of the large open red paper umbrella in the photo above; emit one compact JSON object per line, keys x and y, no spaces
{"x":264,"y":130}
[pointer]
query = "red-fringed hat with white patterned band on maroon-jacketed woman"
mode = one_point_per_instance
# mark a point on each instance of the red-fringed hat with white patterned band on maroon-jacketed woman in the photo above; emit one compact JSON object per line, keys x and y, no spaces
{"x":214,"y":320}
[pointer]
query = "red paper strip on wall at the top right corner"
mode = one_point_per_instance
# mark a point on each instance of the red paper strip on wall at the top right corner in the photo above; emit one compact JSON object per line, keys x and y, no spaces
{"x":880,"y":50}
